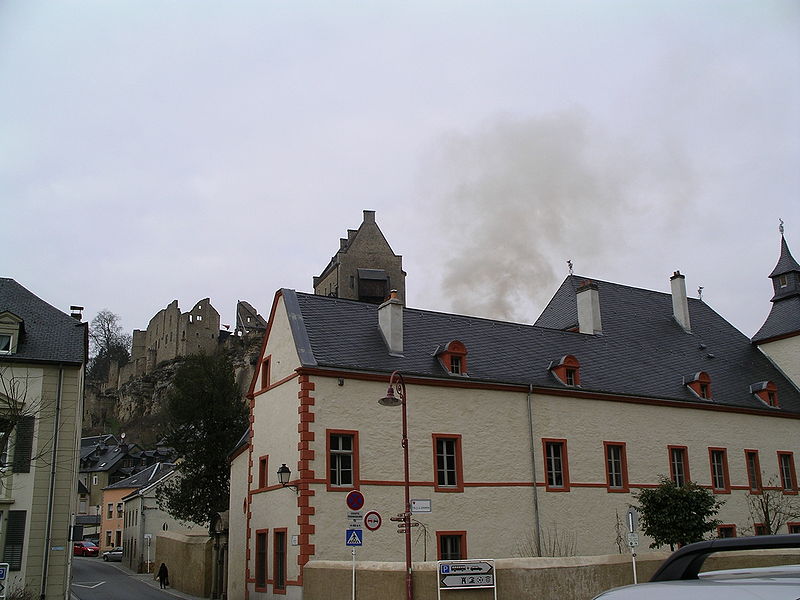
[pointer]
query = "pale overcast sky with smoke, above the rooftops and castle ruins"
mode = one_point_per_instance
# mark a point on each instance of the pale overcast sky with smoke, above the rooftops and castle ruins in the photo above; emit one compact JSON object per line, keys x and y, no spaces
{"x":159,"y":150}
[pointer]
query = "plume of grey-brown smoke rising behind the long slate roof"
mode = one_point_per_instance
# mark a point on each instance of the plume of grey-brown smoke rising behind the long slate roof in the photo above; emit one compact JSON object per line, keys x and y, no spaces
{"x":520,"y":197}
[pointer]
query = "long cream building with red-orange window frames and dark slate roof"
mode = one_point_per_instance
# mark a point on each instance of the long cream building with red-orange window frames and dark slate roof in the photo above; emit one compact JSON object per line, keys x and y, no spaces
{"x":520,"y":437}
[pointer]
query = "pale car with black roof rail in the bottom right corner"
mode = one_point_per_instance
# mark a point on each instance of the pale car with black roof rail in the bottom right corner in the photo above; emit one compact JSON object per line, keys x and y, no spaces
{"x":679,"y":576}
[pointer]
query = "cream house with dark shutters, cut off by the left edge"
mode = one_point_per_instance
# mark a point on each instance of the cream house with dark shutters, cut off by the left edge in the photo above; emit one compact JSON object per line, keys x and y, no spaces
{"x":42,"y":364}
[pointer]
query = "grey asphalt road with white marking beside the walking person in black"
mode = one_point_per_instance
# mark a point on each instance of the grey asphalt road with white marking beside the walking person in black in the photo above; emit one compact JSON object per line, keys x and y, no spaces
{"x":94,"y":579}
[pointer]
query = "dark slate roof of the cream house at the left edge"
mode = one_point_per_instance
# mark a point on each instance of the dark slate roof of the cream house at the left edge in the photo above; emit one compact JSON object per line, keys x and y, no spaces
{"x":48,"y":335}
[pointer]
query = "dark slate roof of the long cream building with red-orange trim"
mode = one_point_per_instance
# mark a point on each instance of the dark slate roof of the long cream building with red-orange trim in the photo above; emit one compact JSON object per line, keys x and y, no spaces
{"x":642,"y":352}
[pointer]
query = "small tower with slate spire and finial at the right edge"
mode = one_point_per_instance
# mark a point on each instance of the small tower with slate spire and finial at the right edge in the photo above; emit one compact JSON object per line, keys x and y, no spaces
{"x":779,"y":336}
